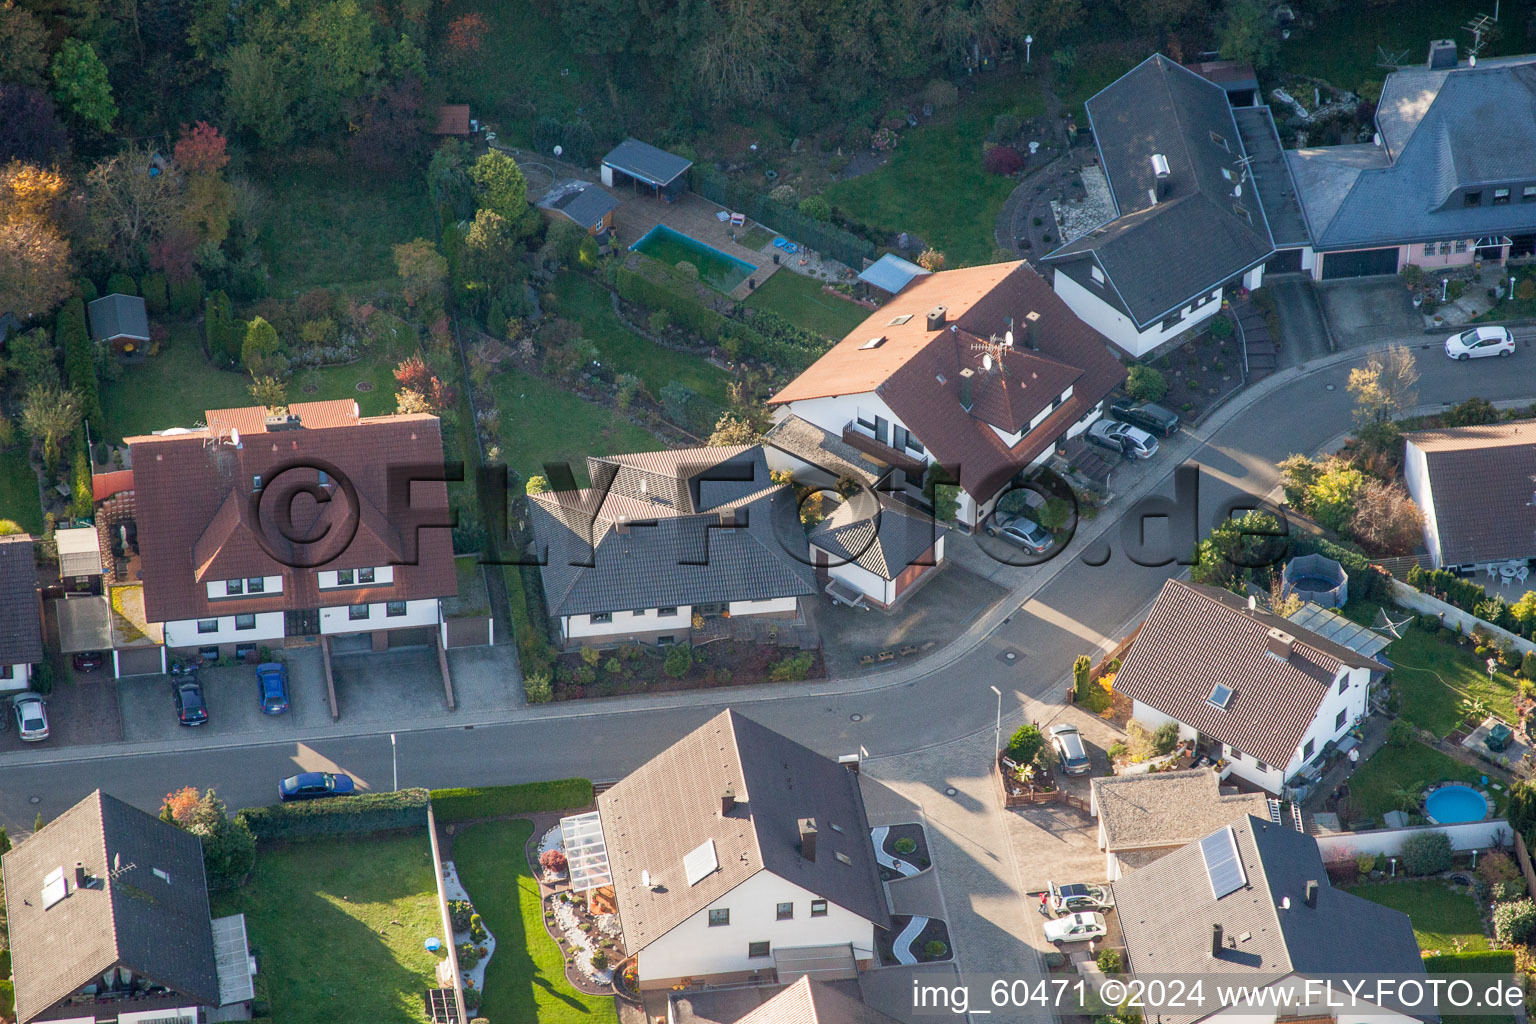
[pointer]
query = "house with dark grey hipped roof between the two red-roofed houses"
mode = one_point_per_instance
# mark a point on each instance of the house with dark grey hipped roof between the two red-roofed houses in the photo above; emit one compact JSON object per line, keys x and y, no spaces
{"x":667,"y":537}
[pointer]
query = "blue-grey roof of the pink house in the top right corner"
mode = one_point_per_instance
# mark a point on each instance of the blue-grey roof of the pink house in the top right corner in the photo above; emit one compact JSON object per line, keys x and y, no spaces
{"x":1443,"y":131}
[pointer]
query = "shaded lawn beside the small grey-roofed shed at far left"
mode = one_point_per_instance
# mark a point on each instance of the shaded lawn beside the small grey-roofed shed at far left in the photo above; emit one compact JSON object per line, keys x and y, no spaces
{"x":171,"y":389}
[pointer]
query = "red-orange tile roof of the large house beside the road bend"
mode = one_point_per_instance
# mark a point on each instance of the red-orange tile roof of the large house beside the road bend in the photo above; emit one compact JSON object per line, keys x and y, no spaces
{"x":918,"y":371}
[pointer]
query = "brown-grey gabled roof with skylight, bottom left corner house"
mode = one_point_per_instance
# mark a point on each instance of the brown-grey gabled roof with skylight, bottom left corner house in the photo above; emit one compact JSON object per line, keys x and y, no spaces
{"x":128,"y":917}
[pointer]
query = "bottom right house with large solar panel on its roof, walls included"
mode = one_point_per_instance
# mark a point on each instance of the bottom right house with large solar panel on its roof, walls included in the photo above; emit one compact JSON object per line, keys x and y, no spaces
{"x":1251,"y":905}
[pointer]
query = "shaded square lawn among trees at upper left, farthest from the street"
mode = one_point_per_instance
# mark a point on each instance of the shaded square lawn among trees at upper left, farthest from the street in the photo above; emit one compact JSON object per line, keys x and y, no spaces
{"x":336,"y":226}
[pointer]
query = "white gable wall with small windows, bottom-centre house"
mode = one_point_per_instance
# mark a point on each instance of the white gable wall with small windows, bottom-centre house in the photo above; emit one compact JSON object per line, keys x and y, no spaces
{"x":697,"y":950}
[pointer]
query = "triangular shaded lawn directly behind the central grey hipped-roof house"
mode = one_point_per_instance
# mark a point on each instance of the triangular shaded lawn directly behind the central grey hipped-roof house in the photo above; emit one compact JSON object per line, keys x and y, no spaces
{"x":541,"y":423}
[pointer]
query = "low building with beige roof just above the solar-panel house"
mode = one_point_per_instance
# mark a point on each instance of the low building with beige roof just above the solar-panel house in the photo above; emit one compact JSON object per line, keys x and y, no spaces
{"x":1147,"y":818}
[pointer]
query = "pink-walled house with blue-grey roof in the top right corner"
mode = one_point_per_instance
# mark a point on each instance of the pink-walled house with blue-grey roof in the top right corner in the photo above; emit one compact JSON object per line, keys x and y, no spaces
{"x":1446,"y":180}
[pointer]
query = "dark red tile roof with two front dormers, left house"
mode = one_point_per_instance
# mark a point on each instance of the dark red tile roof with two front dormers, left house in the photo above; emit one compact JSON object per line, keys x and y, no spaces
{"x":197,"y":523}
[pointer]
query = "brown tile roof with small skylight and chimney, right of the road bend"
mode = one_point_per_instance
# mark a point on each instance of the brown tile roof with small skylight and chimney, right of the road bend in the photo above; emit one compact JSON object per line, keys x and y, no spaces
{"x":1200,"y":636}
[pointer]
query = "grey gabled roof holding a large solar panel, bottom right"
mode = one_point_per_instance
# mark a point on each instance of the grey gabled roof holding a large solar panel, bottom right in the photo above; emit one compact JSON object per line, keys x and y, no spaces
{"x":1167,"y":911}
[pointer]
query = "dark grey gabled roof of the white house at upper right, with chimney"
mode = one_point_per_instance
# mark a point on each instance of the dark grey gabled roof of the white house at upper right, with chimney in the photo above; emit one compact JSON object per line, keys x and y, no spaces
{"x":1164,"y":108}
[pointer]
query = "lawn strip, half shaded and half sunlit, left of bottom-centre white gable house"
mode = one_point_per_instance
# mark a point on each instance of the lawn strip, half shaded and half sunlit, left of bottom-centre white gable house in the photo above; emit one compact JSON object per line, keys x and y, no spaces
{"x":526,"y":977}
